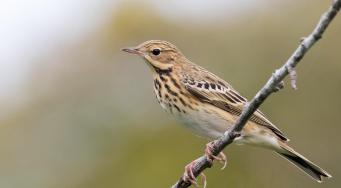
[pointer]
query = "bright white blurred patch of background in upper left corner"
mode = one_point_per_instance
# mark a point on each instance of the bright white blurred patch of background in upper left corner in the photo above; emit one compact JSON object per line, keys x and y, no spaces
{"x":30,"y":28}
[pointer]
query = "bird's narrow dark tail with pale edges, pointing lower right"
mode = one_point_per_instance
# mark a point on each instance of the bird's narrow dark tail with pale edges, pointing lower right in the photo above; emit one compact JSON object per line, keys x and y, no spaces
{"x":301,"y":162}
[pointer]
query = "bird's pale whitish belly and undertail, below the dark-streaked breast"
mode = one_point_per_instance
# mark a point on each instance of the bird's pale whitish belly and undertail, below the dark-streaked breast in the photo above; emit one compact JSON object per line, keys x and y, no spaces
{"x":211,"y":122}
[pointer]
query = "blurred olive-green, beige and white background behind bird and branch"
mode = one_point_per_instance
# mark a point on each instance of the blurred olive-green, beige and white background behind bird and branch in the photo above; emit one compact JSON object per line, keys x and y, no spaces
{"x":76,"y":112}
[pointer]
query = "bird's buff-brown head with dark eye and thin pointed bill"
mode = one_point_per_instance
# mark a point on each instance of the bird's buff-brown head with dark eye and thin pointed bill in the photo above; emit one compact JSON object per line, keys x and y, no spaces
{"x":160,"y":55}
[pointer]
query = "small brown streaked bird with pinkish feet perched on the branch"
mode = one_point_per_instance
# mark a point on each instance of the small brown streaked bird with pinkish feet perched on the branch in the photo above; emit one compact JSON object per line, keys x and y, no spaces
{"x":208,"y":105}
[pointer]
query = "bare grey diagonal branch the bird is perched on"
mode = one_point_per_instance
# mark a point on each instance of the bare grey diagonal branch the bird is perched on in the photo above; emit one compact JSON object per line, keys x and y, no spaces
{"x":271,"y":86}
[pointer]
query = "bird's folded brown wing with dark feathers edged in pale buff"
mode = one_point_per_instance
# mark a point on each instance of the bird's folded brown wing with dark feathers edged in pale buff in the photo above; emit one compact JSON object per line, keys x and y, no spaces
{"x":217,"y":92}
